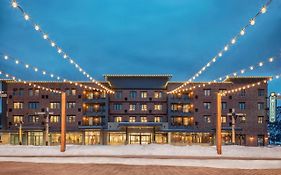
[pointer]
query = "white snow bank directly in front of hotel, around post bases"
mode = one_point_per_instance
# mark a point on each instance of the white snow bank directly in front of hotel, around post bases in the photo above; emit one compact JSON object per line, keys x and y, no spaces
{"x":142,"y":150}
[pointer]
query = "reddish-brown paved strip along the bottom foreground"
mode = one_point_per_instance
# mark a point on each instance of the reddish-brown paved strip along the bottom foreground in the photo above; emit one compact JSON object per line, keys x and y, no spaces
{"x":88,"y":169}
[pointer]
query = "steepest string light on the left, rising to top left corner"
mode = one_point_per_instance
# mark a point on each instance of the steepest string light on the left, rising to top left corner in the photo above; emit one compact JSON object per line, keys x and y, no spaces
{"x":59,"y":49}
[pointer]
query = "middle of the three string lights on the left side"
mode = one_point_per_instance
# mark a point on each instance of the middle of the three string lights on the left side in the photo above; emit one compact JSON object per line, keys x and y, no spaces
{"x":55,"y":77}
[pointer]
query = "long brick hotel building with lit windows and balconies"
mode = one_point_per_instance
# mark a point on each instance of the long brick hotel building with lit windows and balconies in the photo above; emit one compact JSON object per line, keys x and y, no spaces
{"x":139,"y":112}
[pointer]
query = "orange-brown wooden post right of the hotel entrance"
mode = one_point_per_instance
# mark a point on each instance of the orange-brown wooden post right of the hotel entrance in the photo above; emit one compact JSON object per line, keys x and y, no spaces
{"x":218,"y":126}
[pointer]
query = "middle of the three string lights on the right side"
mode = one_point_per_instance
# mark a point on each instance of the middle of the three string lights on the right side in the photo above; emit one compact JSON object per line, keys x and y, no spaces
{"x":235,"y":74}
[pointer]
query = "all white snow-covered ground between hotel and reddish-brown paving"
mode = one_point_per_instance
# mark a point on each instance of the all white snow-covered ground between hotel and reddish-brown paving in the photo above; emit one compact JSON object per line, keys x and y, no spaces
{"x":147,"y":150}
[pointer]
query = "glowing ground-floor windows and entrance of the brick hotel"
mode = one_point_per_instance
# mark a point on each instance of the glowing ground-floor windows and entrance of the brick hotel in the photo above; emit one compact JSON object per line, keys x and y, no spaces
{"x":128,"y":135}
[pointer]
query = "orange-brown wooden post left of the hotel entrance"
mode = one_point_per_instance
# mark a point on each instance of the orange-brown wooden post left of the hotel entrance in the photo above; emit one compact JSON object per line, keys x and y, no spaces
{"x":63,"y":122}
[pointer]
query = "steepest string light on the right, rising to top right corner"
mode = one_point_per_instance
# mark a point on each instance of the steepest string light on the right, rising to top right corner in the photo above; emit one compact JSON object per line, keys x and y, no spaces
{"x":226,"y":48}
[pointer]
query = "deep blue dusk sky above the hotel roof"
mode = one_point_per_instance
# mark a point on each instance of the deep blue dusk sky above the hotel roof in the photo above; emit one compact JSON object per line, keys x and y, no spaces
{"x":175,"y":37}
